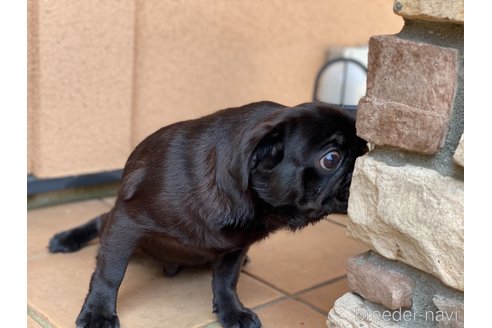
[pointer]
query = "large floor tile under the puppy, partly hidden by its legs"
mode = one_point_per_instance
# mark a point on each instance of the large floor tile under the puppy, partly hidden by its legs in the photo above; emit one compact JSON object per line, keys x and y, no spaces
{"x":57,"y":285}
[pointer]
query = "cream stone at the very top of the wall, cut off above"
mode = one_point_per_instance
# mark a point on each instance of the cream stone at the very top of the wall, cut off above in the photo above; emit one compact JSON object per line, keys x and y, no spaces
{"x":431,"y":10}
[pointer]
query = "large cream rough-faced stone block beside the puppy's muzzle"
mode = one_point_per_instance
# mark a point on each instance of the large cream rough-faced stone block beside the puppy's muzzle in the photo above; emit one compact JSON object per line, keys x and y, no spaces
{"x":411,"y":214}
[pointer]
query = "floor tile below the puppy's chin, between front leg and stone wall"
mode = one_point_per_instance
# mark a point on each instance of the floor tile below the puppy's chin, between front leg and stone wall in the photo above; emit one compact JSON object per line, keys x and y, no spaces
{"x":296,"y":261}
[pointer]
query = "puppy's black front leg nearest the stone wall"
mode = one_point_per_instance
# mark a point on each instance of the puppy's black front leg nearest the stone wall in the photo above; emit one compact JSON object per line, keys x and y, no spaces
{"x":230,"y":311}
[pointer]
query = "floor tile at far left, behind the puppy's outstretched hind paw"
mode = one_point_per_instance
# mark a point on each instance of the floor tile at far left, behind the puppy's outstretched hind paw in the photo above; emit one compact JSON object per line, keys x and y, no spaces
{"x":43,"y":223}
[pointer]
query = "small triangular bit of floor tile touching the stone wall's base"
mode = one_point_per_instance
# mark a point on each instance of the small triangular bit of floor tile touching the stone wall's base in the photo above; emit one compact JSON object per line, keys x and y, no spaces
{"x":325,"y":296}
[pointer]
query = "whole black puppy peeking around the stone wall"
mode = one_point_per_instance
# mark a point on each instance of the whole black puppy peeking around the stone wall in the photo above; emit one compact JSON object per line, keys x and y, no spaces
{"x":202,"y":191}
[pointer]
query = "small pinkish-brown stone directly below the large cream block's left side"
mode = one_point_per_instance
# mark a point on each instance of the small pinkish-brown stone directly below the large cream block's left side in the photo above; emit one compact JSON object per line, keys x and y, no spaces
{"x":379,"y":284}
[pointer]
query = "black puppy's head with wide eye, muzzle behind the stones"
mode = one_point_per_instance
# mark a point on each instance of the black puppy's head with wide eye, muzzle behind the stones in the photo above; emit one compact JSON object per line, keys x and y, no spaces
{"x":303,"y":162}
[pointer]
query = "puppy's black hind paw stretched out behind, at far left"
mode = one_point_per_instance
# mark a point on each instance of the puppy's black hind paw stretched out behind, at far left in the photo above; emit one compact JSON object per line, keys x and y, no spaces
{"x":74,"y":239}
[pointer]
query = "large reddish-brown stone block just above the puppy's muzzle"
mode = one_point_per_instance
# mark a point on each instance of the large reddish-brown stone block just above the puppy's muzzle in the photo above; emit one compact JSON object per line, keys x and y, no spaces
{"x":410,"y":93}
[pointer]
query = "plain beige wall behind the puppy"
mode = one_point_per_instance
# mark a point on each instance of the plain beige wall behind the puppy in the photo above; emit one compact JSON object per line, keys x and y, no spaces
{"x":104,"y":74}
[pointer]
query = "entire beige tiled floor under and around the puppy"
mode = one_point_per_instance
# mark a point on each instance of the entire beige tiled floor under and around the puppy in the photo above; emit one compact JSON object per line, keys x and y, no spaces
{"x":291,"y":281}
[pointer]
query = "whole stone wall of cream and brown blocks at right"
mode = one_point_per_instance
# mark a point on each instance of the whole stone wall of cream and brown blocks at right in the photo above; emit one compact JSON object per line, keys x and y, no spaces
{"x":406,"y":198}
